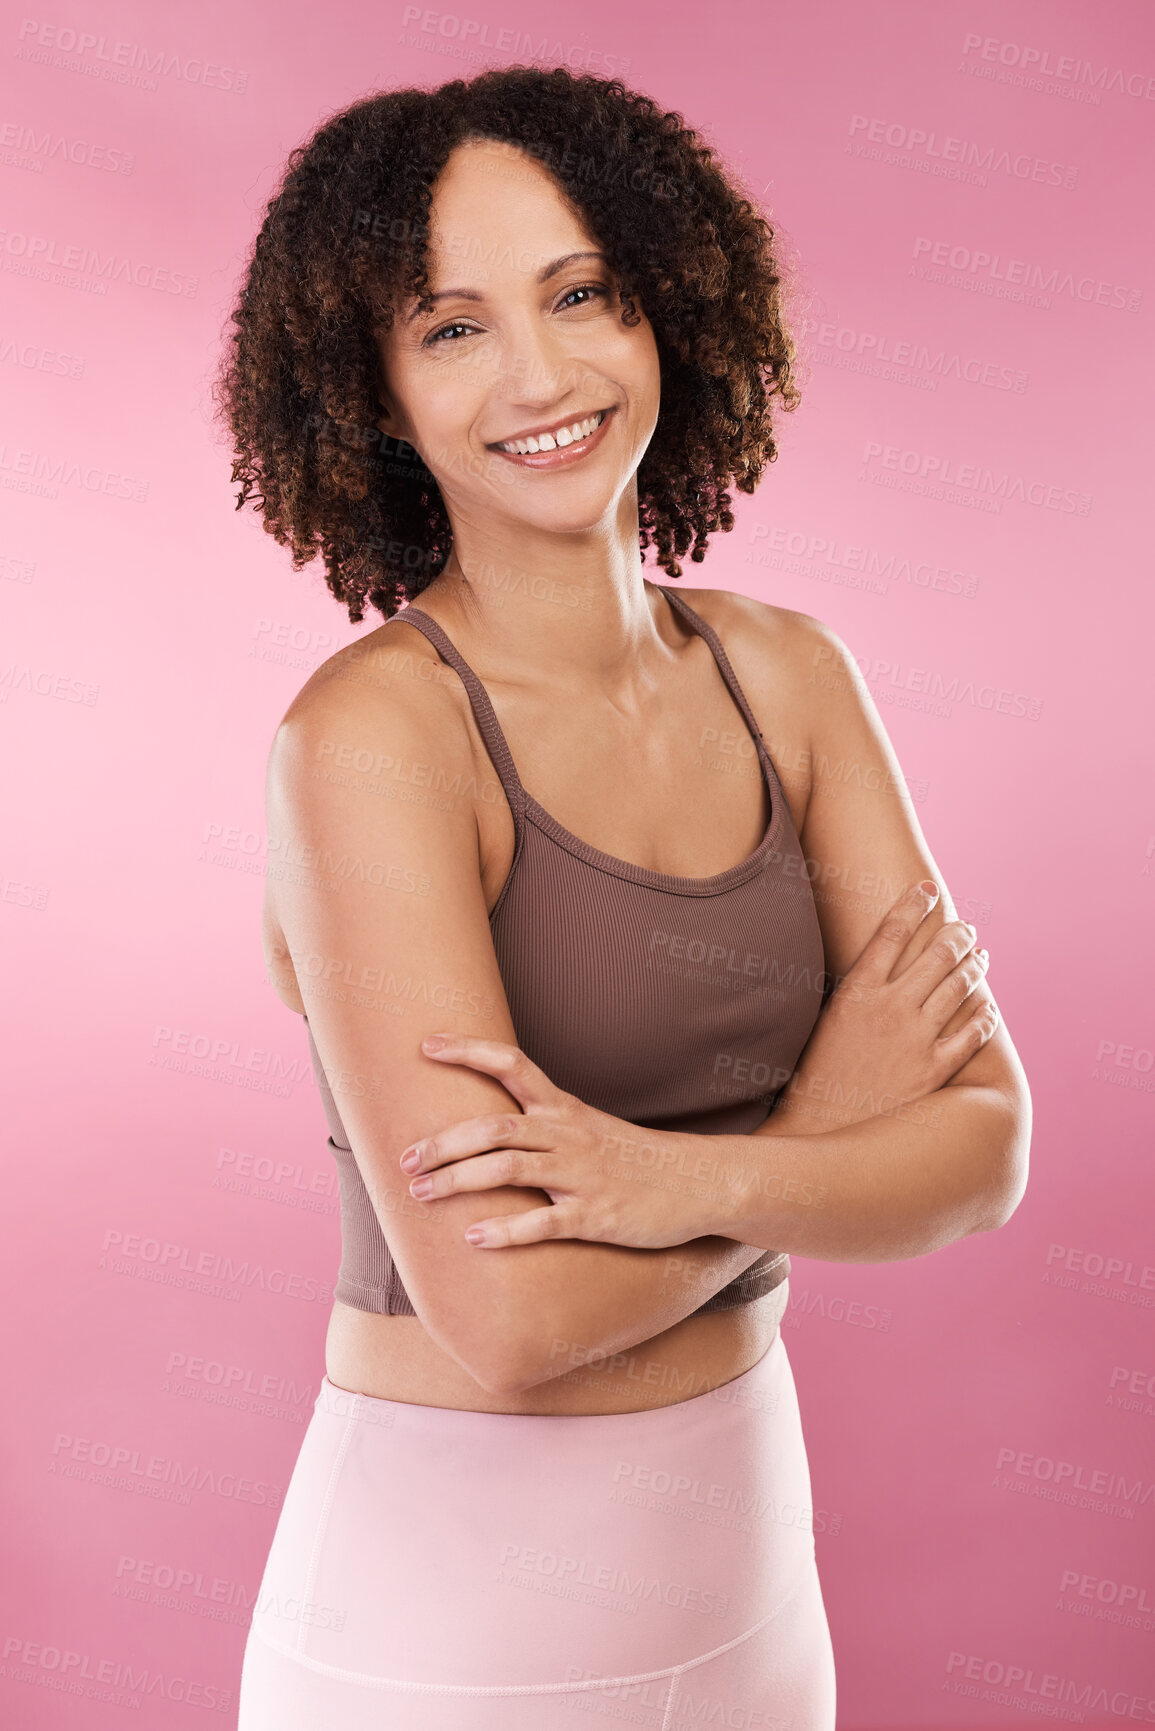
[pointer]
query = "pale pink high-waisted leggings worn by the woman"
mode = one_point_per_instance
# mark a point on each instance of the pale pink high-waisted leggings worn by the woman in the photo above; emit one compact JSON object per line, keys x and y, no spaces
{"x":503,"y":1573}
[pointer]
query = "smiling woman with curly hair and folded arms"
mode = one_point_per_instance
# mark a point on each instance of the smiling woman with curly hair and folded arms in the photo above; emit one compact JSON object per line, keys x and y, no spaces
{"x":496,"y":342}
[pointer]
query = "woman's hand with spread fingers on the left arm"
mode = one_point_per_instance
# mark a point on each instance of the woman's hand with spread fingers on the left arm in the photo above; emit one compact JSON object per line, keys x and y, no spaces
{"x":609,"y":1181}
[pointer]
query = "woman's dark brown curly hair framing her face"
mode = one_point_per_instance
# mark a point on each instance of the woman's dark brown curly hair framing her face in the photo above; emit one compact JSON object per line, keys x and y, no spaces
{"x":344,"y":243}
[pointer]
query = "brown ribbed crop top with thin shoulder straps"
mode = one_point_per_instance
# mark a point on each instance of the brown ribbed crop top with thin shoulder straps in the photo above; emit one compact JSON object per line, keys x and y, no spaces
{"x":673,"y":1003}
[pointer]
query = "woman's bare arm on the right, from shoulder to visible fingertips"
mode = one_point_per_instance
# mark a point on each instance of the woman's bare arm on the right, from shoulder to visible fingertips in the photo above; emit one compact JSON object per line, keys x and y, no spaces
{"x":827,"y":1174}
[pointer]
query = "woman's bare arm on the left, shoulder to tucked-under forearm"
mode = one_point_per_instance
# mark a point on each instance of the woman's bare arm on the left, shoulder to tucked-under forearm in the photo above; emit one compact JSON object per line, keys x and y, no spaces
{"x":390,"y":941}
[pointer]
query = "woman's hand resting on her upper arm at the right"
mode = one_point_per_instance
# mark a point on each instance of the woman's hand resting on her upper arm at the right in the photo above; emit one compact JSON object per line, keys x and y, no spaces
{"x":879,"y":1043}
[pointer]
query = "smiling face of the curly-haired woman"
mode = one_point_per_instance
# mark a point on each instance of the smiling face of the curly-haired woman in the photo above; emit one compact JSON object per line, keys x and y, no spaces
{"x":524,"y":340}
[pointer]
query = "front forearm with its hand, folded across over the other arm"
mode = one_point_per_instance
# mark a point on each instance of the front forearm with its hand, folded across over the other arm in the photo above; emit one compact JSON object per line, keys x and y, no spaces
{"x":877,"y":1190}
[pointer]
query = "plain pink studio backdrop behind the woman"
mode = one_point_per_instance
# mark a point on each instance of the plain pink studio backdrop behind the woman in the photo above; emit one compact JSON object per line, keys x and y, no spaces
{"x":964,"y":496}
